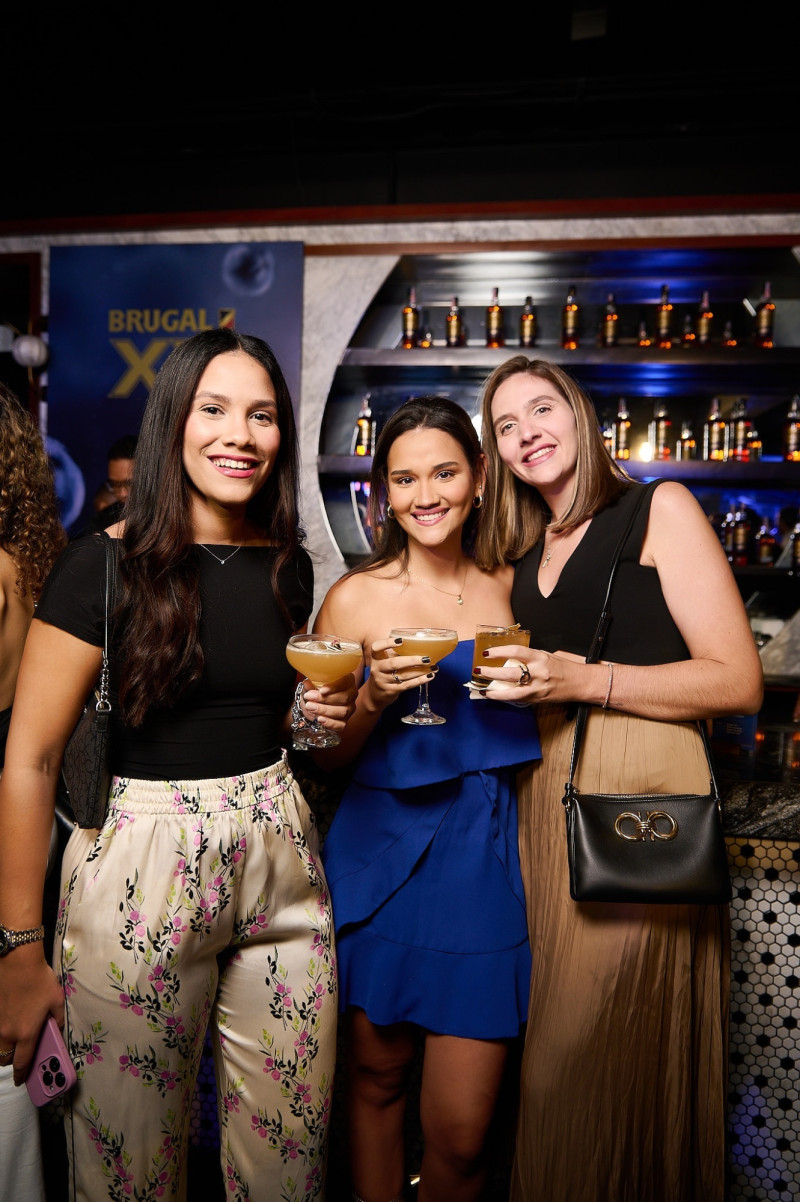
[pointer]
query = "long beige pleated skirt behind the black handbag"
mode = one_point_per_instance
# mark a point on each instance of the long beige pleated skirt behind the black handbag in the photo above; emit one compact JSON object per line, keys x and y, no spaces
{"x":625,"y":1066}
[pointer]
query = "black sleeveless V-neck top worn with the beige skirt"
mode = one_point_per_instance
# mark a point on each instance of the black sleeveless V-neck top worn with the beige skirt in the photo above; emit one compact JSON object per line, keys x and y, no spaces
{"x":641,"y":632}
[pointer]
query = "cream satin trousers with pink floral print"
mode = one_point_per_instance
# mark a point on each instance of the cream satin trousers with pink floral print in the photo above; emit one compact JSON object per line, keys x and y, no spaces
{"x":199,"y":903}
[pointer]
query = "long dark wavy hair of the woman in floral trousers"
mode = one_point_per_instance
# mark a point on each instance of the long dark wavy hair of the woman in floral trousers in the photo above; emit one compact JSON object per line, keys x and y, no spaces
{"x":159,"y":610}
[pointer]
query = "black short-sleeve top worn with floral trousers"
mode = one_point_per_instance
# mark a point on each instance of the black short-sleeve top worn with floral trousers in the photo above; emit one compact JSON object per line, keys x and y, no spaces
{"x":231,"y":722}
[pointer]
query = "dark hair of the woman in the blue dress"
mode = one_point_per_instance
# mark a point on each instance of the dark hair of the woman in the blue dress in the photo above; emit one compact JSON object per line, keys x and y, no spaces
{"x":429,"y":413}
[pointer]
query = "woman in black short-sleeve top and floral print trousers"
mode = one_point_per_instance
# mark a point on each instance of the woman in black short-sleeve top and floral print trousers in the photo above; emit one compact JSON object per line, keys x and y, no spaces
{"x":201,"y":903}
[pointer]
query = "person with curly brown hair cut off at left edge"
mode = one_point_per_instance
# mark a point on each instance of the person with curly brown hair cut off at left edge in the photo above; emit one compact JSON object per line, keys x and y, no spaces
{"x":31,"y":540}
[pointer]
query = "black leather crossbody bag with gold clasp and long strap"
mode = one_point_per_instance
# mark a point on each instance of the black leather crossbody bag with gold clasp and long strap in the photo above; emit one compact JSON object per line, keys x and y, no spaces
{"x":652,"y":848}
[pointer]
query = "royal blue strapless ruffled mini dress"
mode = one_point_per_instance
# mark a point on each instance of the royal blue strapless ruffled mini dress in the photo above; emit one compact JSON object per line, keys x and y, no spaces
{"x":423,"y":867}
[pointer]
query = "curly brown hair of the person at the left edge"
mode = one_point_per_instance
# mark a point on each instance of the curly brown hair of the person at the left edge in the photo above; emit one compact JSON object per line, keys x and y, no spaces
{"x":31,"y":527}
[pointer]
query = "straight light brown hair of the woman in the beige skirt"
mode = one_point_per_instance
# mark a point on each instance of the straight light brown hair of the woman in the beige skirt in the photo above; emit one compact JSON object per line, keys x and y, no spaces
{"x":516,"y":513}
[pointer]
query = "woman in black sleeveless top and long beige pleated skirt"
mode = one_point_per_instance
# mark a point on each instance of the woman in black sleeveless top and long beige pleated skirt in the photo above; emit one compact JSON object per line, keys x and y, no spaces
{"x":625,"y":1062}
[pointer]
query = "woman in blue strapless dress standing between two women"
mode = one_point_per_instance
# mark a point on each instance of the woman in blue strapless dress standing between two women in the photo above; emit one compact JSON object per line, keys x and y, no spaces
{"x":422,"y":856}
